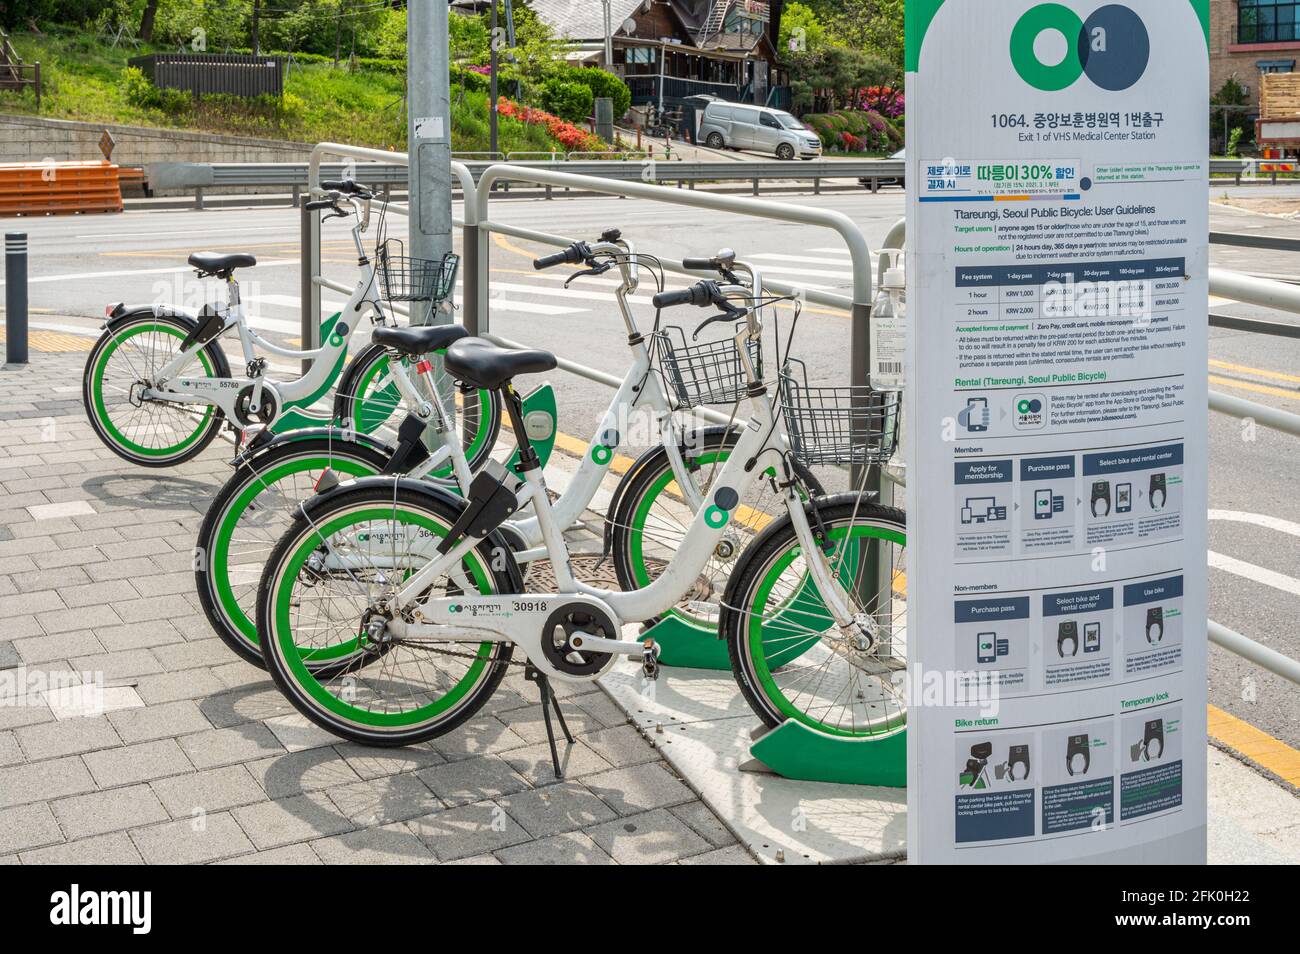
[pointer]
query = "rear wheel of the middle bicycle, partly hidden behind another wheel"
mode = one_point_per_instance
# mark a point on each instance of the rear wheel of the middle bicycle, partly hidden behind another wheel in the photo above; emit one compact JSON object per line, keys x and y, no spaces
{"x":248,"y":518}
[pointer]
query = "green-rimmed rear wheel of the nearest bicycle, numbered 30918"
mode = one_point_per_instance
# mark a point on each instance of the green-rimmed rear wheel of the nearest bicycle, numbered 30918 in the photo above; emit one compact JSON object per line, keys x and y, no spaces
{"x":319,"y":595}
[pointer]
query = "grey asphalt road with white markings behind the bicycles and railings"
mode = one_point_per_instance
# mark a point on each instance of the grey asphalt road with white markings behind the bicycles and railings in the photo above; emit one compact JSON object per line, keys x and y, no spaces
{"x":81,"y":264}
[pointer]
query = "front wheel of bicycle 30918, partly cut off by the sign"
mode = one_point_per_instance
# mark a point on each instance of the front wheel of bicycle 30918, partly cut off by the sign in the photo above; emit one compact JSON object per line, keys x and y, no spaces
{"x":790,"y":657}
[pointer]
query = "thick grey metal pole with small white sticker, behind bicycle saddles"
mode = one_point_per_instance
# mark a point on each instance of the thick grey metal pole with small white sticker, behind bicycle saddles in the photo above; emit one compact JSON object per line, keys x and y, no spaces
{"x":430,"y":138}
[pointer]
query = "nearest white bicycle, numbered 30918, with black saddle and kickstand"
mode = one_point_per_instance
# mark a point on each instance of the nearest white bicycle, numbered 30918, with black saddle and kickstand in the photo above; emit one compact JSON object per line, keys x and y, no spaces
{"x":418,"y":595}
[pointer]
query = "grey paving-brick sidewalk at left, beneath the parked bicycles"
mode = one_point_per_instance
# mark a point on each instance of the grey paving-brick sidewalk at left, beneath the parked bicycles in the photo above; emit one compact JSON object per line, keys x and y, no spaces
{"x":198,"y":758}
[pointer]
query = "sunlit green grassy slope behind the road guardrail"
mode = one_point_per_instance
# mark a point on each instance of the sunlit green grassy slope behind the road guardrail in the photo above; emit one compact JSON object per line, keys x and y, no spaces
{"x":83,"y":81}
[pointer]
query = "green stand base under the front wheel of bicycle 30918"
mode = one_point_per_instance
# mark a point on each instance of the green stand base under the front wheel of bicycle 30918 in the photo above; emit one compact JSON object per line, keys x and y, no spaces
{"x":795,"y":751}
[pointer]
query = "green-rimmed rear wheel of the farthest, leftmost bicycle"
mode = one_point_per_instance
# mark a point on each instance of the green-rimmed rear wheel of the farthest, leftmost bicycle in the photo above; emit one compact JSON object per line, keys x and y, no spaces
{"x":123,"y":365}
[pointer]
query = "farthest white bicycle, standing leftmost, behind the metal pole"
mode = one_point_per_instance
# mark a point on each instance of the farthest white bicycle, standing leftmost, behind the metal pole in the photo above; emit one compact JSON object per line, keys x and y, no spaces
{"x":158,"y":385}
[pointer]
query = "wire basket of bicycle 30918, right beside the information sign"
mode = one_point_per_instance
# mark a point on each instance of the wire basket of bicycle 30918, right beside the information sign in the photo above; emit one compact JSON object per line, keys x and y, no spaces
{"x":839,"y":426}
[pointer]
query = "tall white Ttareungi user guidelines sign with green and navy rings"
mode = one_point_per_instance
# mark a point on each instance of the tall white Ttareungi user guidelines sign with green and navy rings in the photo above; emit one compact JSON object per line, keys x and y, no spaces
{"x":1058,"y":435}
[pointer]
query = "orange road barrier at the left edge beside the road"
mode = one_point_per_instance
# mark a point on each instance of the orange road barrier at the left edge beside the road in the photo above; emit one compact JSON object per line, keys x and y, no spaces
{"x":46,"y":189}
